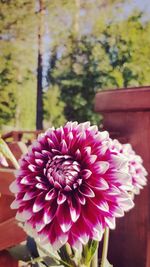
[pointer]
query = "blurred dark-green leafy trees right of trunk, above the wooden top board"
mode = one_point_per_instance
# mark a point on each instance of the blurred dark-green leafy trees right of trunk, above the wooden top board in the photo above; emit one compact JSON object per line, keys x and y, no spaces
{"x":107,"y":59}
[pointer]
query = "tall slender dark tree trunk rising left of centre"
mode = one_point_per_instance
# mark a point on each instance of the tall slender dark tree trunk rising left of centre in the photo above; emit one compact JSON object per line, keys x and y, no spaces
{"x":39,"y":103}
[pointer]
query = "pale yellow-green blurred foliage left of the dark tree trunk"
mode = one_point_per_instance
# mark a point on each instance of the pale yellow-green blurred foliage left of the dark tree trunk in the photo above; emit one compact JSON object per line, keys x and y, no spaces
{"x":18,"y":63}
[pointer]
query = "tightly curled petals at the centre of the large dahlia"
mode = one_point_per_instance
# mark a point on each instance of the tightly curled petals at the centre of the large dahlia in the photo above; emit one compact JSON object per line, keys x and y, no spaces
{"x":63,"y":169}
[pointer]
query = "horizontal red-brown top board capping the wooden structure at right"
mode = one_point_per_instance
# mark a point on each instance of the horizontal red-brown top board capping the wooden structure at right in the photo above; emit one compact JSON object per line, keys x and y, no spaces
{"x":122,"y":100}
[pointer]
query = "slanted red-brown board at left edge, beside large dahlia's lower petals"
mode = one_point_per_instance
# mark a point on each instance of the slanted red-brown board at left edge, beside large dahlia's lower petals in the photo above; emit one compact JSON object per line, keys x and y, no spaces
{"x":10,"y":234}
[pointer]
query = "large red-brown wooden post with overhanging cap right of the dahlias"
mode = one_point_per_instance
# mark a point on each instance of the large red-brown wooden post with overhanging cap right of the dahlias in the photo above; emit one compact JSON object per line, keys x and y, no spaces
{"x":126,"y":115}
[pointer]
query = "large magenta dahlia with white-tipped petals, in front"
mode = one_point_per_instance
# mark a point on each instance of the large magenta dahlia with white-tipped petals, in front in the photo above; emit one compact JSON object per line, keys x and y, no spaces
{"x":71,"y":186}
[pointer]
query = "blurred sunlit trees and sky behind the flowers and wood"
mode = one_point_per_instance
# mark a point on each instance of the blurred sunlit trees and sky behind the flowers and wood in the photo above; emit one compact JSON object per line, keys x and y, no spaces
{"x":55,"y":55}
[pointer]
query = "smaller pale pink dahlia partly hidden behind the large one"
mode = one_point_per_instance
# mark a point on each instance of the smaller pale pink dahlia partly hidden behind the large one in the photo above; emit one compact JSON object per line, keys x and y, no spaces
{"x":135,"y":165}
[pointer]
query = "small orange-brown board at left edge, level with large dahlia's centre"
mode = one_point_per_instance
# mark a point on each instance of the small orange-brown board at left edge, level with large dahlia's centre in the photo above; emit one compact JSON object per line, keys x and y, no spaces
{"x":6,"y":178}
